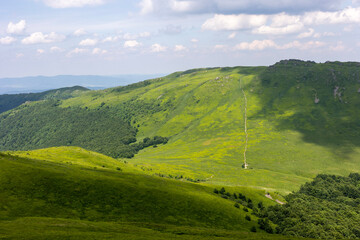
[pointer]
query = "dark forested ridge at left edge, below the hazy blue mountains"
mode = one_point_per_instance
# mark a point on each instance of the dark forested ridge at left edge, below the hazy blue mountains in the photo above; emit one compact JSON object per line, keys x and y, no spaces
{"x":10,"y":101}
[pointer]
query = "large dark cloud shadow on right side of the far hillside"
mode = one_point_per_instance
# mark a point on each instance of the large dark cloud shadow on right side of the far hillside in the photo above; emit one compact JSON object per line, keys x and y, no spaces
{"x":332,"y":121}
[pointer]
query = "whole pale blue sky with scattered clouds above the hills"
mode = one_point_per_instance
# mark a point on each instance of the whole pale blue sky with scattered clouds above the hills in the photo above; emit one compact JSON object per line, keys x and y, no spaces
{"x":107,"y":37}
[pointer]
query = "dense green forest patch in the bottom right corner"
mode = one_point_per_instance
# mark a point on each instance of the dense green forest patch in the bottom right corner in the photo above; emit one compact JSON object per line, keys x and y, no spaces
{"x":326,"y":208}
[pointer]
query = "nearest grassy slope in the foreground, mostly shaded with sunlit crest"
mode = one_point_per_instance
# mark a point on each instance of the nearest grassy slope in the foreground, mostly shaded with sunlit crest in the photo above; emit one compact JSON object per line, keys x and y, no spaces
{"x":66,"y":193}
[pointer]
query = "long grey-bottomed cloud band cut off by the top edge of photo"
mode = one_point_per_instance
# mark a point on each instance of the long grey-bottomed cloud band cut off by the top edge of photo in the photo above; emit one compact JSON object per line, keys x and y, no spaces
{"x":170,"y":7}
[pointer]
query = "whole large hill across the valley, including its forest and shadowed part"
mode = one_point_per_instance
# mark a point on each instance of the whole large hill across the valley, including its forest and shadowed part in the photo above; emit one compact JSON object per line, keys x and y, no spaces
{"x":302,"y":120}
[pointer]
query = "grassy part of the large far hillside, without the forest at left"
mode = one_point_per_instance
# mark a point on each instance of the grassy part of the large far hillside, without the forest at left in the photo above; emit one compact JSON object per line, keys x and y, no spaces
{"x":204,"y":115}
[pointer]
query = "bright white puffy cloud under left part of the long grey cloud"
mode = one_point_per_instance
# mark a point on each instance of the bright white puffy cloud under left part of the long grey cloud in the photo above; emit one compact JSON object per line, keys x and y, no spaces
{"x":234,"y":22}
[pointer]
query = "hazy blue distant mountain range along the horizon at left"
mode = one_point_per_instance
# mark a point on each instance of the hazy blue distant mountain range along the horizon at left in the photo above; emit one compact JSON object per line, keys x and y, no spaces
{"x":43,"y":83}
